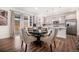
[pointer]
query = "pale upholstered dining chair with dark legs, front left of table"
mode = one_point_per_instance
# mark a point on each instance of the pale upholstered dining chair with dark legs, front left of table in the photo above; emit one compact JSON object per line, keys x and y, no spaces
{"x":26,"y":38}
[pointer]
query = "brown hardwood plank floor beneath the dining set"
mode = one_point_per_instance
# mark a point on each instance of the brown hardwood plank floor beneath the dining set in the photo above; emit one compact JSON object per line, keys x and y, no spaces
{"x":62,"y":45}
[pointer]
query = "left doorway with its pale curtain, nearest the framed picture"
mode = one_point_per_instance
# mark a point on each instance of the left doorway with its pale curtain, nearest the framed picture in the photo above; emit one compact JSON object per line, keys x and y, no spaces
{"x":15,"y":24}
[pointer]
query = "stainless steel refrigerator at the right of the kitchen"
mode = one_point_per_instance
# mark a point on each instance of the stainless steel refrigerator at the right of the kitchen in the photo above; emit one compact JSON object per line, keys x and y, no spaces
{"x":71,"y":27}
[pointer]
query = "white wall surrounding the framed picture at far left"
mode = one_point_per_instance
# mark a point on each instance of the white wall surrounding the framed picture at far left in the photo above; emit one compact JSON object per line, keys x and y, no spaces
{"x":4,"y":30}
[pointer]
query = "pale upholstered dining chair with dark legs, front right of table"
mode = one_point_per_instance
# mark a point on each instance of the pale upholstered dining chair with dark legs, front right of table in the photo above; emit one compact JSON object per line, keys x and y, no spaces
{"x":50,"y":38}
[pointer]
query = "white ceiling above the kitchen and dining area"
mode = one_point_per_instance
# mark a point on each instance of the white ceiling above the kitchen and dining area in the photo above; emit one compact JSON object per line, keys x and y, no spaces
{"x":48,"y":10}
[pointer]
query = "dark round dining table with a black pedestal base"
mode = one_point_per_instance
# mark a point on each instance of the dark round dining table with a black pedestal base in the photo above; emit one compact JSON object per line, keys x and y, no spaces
{"x":38,"y":34}
